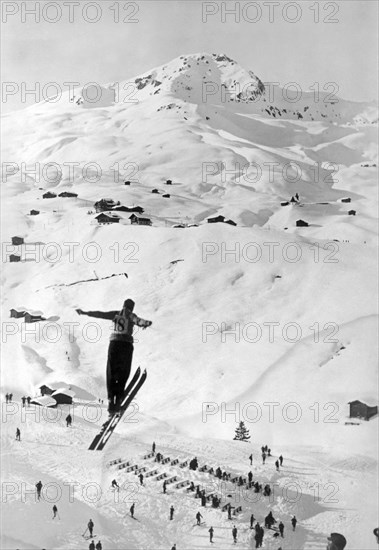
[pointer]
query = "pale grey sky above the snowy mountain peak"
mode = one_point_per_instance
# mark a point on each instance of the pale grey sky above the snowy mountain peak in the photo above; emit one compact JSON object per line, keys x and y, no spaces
{"x":279,"y":41}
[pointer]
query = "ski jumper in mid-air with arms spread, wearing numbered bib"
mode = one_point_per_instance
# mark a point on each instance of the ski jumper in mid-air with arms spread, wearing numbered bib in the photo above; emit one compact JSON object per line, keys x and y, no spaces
{"x":120,"y":351}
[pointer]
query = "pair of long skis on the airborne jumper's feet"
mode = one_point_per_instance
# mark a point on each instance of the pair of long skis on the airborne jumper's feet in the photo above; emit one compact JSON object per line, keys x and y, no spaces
{"x":109,"y":426}
